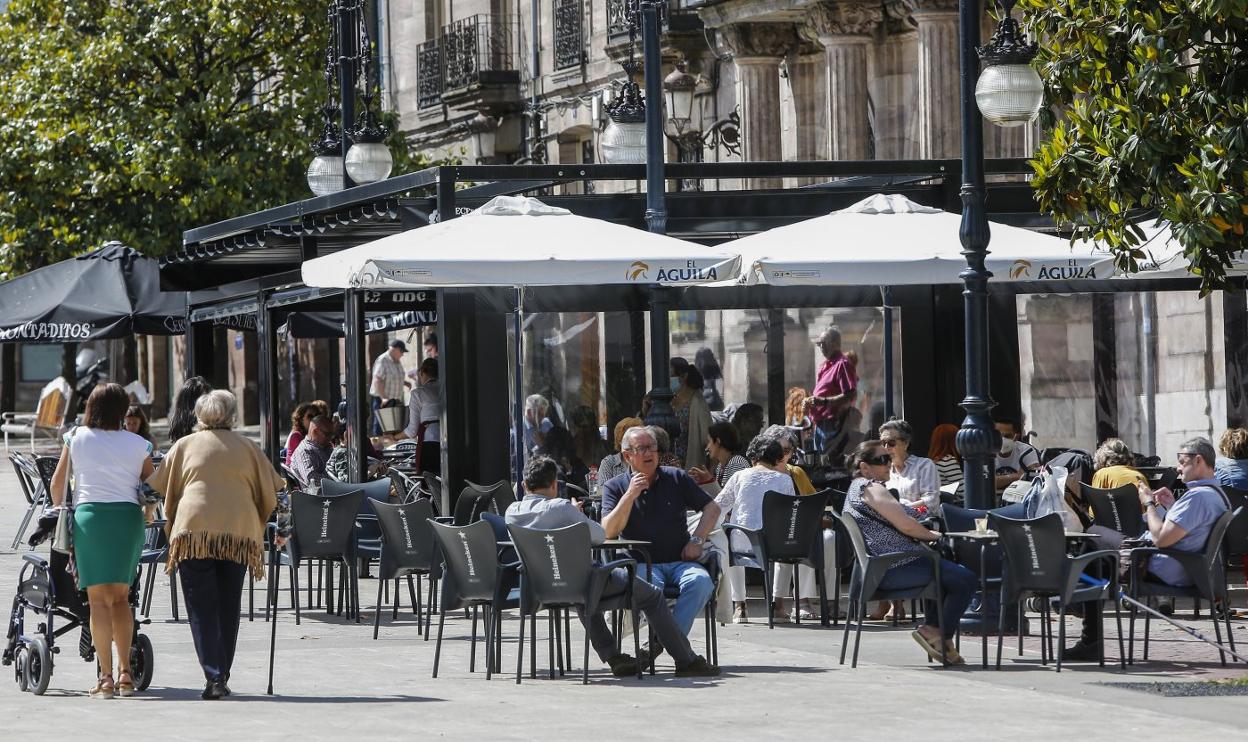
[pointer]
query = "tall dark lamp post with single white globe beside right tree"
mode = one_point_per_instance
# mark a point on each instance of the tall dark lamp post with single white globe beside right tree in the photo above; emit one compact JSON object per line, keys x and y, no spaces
{"x":1008,"y":93}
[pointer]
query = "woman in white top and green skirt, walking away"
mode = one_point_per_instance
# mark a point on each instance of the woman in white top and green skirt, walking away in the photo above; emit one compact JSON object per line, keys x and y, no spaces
{"x":108,"y":465}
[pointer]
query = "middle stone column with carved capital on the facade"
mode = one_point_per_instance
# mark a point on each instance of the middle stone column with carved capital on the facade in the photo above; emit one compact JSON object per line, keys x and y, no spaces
{"x":846,"y":32}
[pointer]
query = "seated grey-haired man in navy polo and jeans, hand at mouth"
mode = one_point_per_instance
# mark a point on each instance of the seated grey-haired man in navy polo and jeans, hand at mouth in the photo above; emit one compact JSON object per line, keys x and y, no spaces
{"x":648,"y":503}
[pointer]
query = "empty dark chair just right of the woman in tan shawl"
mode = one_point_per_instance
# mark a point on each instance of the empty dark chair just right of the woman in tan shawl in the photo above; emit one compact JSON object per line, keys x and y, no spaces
{"x":324,"y":527}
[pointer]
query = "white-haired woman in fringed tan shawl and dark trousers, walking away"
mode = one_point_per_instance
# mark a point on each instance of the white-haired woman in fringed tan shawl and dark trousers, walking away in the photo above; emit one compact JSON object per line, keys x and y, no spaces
{"x":220,"y":491}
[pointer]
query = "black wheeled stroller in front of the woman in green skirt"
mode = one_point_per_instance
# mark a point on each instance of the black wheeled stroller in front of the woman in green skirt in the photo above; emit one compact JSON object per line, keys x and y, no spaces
{"x":47,"y":594}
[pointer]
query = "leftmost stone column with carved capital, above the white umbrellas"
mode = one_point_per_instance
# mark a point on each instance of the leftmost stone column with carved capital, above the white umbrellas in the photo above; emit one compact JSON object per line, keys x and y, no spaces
{"x":758,"y":51}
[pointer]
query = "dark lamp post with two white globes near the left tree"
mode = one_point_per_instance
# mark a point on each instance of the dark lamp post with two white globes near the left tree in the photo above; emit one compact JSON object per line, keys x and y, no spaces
{"x":351,"y":152}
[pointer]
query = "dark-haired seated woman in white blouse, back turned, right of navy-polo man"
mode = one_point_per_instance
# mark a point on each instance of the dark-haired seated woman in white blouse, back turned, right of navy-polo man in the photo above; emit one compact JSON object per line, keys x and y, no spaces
{"x":741,"y":502}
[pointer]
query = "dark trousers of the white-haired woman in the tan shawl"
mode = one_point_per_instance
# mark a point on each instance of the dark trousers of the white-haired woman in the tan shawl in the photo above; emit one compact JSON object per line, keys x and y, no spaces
{"x":214,"y":593}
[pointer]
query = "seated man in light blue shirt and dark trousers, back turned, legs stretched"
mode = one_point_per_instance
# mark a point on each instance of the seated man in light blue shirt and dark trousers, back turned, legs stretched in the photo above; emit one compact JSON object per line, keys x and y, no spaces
{"x":542,"y":509}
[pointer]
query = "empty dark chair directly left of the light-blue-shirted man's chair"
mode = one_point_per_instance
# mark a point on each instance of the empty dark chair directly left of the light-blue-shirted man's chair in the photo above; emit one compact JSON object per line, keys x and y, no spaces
{"x":475,"y":579}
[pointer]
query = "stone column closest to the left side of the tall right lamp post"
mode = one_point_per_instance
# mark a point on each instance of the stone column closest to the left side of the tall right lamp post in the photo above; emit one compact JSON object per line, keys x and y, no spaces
{"x":940,"y":132}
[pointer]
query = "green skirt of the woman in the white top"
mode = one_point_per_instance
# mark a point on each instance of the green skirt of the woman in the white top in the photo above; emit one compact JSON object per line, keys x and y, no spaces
{"x":108,"y":541}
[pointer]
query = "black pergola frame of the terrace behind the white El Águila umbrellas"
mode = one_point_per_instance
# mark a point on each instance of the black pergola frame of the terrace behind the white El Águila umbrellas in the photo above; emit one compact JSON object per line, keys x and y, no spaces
{"x":260,"y":255}
